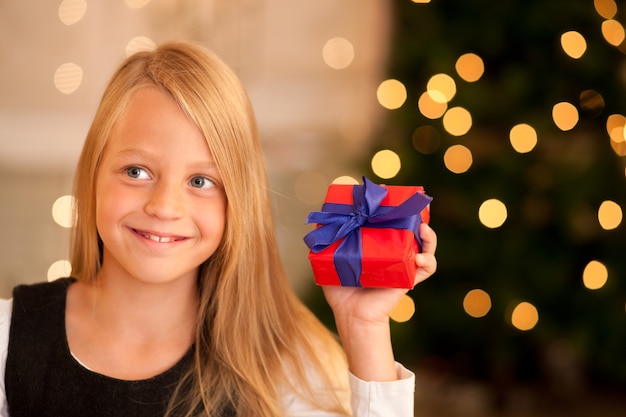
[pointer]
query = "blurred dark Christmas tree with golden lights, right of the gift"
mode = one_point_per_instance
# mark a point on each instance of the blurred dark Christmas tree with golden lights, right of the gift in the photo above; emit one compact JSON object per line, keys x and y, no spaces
{"x":552,"y":190}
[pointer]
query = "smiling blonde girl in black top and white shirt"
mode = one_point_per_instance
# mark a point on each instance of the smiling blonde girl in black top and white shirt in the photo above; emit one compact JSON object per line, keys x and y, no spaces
{"x":179,"y":305}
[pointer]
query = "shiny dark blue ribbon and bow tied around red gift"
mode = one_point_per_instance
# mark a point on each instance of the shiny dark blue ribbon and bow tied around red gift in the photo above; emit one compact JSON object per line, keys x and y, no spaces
{"x":343,"y":220}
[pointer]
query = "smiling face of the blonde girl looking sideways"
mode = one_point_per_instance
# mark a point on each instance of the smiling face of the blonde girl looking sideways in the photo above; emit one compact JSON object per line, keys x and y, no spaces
{"x":160,"y":205}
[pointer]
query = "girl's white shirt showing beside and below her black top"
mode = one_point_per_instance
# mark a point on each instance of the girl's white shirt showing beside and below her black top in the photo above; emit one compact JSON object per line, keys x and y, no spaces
{"x":368,"y":399}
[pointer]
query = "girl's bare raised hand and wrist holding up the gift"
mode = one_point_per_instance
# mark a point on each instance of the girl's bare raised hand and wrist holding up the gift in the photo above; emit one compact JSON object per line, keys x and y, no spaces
{"x":362,"y":317}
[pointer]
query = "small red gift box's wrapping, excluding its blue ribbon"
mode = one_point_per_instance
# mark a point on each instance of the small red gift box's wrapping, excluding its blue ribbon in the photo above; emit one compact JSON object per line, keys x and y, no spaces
{"x":387,"y":253}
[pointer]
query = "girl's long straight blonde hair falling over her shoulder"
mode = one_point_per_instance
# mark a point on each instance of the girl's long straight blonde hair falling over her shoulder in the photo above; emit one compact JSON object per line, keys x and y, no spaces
{"x":254,"y":337}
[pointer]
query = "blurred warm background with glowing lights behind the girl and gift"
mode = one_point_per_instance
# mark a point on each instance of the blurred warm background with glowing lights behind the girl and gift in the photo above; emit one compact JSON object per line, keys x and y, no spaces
{"x":510,"y":113}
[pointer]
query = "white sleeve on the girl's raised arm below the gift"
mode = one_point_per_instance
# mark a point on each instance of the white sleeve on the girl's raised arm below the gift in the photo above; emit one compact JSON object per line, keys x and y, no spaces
{"x":367,"y":399}
